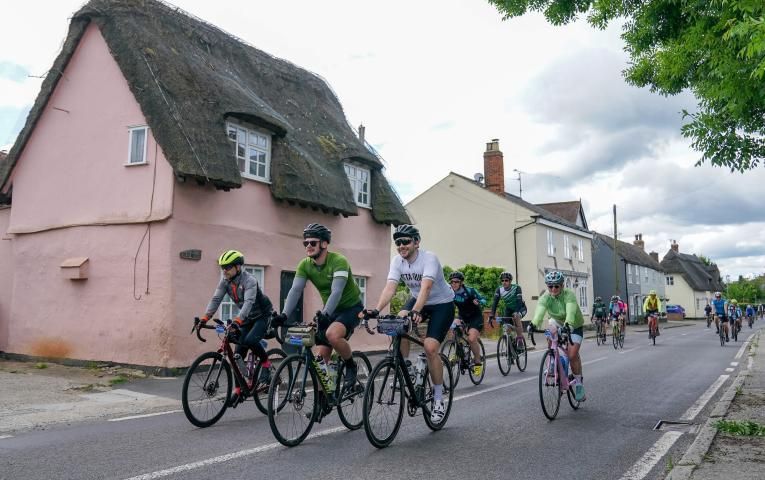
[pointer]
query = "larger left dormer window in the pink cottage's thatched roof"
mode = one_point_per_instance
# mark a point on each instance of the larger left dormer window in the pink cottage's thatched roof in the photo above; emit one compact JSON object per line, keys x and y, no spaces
{"x":252,"y":149}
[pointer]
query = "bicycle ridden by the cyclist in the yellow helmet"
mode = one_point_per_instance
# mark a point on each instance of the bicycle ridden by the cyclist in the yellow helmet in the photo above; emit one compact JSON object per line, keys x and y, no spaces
{"x":212,"y":373}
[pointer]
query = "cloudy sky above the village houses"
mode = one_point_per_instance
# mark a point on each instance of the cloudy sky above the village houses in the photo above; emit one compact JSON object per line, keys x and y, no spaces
{"x":433,"y":81}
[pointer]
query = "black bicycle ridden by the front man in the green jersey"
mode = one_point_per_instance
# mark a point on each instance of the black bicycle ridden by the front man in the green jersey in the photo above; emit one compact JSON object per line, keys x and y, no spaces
{"x":301,"y":383}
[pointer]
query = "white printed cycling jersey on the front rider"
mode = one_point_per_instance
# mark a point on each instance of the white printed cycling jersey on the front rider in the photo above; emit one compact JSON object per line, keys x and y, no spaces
{"x":426,"y":265}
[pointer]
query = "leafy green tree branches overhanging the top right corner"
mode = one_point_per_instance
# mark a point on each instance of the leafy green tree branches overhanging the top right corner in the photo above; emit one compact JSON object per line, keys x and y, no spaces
{"x":715,"y":48}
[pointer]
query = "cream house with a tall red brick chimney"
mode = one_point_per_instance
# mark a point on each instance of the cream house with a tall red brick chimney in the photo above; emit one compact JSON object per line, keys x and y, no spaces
{"x":472,"y":221}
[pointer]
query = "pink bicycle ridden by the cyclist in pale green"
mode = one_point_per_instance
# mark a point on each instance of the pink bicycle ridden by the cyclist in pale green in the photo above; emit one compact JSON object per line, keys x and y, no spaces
{"x":554,"y":379}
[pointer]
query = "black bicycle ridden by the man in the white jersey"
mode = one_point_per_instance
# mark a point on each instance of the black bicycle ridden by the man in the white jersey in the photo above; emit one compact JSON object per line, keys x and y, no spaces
{"x":390,"y":383}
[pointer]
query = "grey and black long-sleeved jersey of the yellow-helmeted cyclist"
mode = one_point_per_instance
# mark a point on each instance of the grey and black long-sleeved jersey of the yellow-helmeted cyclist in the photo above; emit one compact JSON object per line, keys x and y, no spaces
{"x":245,"y":292}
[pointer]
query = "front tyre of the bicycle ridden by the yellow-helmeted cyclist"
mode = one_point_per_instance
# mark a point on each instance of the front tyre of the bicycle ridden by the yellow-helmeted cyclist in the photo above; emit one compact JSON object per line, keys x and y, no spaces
{"x":209,"y":398}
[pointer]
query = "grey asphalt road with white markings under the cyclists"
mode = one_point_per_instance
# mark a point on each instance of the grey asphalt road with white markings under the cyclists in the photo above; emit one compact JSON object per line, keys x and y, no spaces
{"x":496,"y":430}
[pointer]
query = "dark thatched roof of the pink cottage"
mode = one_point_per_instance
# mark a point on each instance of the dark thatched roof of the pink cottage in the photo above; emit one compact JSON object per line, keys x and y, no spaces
{"x":189,"y":77}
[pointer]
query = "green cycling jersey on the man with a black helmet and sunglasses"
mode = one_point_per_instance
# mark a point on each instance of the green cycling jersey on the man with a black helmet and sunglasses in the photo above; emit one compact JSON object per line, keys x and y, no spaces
{"x":336,"y":265}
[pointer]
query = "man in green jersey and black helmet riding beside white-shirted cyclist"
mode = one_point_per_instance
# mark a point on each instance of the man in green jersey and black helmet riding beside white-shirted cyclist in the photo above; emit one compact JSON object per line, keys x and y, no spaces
{"x":331,"y":274}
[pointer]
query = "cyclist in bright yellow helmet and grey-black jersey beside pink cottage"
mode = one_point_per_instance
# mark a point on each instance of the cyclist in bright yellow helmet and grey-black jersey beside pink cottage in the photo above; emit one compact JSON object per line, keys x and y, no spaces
{"x":254,"y":310}
